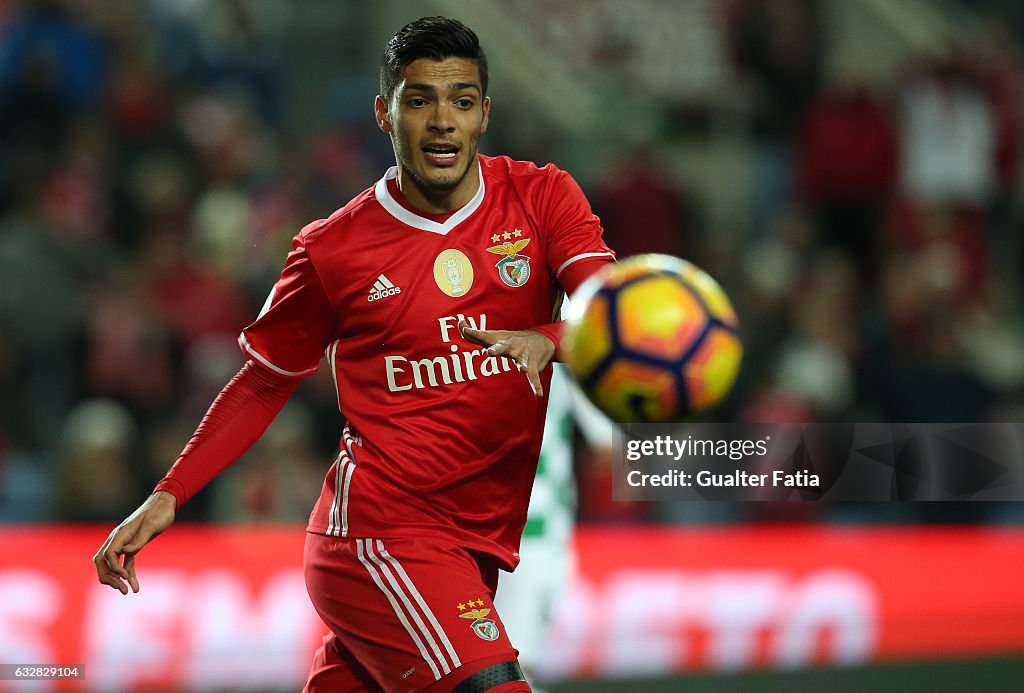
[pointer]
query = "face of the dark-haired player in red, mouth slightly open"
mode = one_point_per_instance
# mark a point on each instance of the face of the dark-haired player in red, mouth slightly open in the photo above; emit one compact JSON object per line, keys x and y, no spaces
{"x":436,"y":121}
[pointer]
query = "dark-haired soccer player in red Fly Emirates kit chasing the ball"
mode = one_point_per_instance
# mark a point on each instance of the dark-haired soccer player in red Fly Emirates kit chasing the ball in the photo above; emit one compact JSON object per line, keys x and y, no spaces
{"x":432,"y":295}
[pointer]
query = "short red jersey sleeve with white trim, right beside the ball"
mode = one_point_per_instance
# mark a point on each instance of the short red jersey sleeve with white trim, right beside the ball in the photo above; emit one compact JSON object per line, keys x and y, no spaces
{"x":574,"y":231}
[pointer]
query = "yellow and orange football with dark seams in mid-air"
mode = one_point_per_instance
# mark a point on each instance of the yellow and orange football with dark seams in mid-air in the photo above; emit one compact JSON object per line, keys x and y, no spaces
{"x":653,"y":339}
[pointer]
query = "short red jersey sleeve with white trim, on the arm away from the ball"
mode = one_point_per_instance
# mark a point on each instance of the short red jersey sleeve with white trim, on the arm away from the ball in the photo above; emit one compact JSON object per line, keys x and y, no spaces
{"x":297,"y":322}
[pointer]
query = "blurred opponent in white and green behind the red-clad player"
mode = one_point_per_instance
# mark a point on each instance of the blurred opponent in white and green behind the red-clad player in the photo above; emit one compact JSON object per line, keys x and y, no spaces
{"x":528,"y":599}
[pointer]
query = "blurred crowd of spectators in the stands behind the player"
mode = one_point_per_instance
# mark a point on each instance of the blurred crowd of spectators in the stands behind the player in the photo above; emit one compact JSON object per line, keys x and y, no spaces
{"x":152,"y":179}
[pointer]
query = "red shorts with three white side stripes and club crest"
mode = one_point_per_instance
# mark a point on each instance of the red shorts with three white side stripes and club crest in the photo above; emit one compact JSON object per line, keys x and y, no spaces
{"x":407,"y":616}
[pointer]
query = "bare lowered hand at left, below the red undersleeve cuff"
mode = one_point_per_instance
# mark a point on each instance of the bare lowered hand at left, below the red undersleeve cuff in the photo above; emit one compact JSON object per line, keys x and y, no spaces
{"x":153,"y":517}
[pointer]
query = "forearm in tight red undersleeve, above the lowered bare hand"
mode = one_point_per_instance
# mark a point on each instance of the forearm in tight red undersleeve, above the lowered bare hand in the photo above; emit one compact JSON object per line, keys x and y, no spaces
{"x":237,"y":419}
